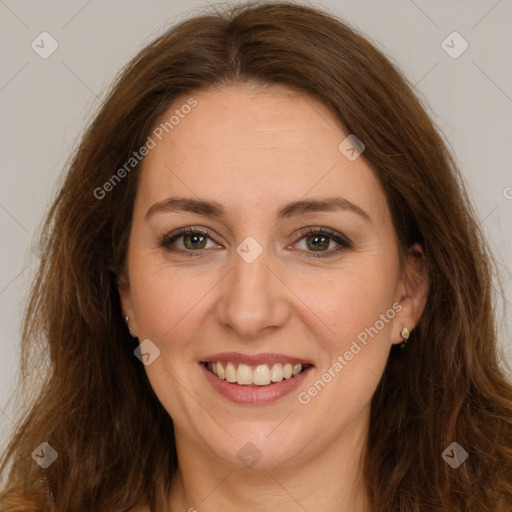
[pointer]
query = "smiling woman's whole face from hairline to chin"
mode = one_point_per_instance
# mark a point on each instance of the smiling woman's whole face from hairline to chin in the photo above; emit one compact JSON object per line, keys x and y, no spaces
{"x":289,"y":257}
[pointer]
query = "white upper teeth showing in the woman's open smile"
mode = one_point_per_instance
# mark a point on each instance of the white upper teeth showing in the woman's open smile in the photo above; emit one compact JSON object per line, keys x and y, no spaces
{"x":260,"y":375}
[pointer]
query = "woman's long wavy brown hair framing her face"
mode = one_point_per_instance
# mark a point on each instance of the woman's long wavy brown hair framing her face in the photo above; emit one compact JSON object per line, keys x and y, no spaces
{"x":96,"y":407}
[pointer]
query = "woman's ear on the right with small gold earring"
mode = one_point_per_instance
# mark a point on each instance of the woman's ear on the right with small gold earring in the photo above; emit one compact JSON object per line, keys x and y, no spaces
{"x":412,"y":292}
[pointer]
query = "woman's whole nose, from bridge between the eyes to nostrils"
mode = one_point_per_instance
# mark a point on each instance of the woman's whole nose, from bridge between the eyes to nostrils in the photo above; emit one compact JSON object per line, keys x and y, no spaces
{"x":253,"y":300}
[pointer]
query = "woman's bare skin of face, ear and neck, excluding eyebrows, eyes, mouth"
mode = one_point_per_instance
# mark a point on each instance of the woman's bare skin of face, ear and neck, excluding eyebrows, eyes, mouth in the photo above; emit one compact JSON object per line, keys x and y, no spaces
{"x":254,"y":150}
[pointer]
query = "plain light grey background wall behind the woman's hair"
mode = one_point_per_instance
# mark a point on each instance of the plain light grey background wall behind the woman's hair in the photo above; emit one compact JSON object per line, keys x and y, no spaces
{"x":46,"y":103}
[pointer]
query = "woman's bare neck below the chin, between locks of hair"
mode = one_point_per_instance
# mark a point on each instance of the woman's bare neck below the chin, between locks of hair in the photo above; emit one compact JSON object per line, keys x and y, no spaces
{"x":330,"y":481}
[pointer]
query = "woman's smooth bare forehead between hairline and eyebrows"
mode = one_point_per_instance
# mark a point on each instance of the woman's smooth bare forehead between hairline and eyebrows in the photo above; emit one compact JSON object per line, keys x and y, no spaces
{"x":254,"y":145}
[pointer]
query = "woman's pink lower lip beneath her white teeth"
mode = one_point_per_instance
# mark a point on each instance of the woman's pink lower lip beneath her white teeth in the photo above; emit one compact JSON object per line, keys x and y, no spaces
{"x":255,"y":395}
